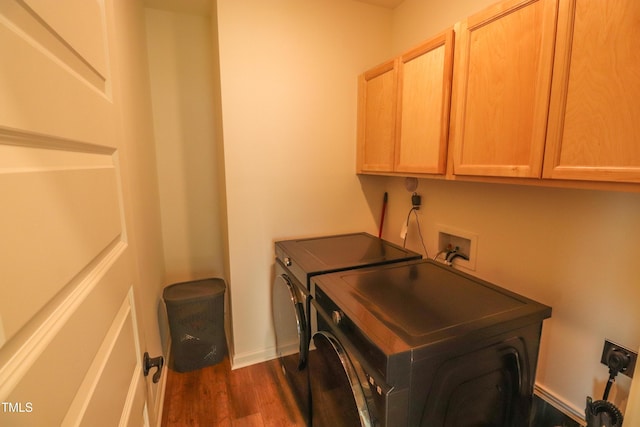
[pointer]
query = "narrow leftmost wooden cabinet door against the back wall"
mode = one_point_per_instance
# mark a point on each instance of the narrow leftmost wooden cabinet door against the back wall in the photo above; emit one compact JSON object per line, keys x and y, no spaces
{"x":377,"y":94}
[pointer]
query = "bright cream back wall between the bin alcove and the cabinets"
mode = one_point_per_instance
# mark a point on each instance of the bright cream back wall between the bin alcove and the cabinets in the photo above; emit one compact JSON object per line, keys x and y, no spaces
{"x":289,"y":86}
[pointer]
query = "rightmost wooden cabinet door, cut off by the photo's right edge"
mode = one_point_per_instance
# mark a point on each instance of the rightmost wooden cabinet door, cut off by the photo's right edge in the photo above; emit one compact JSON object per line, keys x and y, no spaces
{"x":594,"y":118}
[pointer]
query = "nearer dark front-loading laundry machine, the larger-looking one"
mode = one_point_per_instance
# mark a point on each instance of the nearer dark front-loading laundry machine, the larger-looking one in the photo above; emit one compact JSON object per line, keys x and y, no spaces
{"x":421,"y":344}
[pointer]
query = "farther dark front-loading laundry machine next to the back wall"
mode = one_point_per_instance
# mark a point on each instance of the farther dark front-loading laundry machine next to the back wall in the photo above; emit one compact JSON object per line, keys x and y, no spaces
{"x":297,"y":262}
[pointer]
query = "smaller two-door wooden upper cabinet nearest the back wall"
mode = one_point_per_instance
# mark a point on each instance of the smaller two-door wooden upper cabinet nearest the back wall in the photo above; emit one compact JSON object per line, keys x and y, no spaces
{"x":403,"y":110}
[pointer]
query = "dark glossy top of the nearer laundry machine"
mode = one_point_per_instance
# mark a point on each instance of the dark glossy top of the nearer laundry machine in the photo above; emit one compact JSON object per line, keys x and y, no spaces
{"x":407,"y":306}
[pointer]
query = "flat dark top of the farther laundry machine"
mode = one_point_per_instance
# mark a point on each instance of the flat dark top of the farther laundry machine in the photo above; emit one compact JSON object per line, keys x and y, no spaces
{"x":325,"y":254}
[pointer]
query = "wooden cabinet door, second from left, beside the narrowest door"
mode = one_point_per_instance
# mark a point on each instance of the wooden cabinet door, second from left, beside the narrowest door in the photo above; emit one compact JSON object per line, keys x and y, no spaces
{"x":424,"y":94}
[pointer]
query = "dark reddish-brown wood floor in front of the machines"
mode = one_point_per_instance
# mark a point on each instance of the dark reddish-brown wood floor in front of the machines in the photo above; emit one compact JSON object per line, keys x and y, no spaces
{"x":257,"y":395}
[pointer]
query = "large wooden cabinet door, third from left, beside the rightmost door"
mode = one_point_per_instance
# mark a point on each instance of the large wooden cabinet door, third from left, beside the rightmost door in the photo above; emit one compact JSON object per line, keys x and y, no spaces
{"x":502,"y":80}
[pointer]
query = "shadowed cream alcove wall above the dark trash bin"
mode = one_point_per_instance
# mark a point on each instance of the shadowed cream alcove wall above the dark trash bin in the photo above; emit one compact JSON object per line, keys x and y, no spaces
{"x":180,"y":62}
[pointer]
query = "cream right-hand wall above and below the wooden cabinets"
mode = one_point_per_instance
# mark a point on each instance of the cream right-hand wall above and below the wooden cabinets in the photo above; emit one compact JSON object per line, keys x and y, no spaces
{"x":574,"y":250}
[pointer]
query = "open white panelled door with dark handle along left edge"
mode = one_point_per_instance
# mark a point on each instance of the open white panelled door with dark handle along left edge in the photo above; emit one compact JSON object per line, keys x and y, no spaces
{"x":69,"y":339}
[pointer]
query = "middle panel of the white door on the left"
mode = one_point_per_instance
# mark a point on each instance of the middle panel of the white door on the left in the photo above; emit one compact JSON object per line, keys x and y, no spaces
{"x":59,"y":216}
